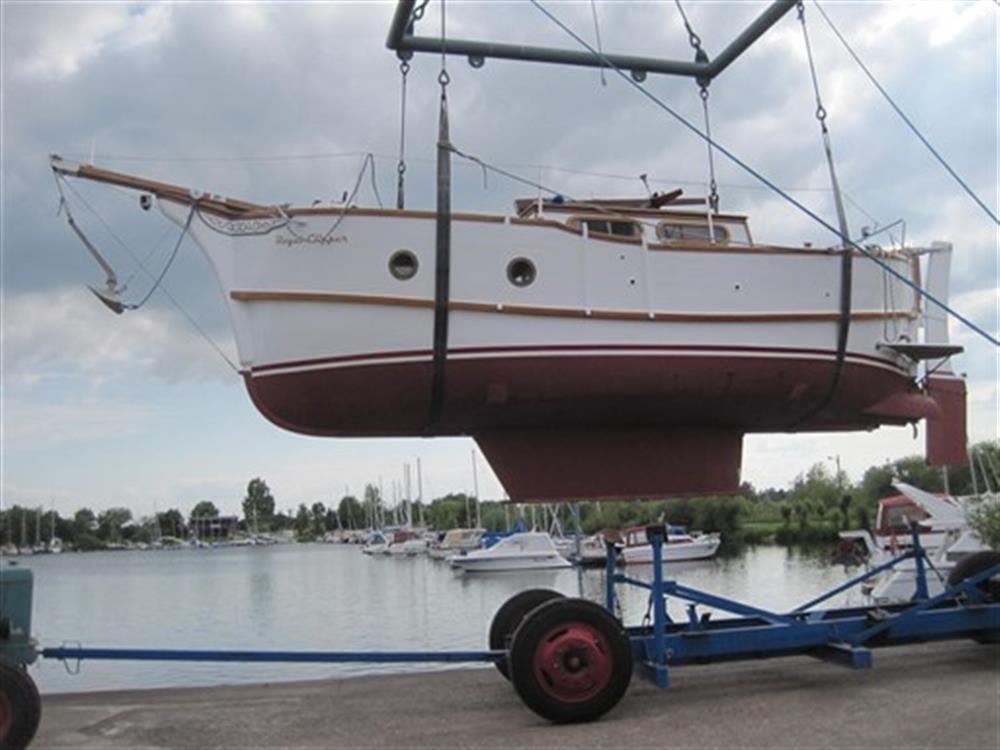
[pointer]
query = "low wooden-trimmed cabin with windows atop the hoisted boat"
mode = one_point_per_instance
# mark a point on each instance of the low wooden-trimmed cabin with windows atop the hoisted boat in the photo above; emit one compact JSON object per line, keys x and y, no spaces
{"x":646,"y":220}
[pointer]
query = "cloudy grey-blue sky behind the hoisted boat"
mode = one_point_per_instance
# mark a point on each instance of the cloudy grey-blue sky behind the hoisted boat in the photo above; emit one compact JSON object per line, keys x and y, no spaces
{"x":278,"y":102}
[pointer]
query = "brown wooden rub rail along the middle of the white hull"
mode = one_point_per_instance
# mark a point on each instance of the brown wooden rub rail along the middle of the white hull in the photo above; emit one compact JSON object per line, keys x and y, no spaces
{"x":558,"y":312}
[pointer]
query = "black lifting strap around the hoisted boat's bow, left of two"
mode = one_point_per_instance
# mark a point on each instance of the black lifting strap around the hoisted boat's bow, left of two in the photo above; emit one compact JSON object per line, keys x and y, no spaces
{"x":442,"y":272}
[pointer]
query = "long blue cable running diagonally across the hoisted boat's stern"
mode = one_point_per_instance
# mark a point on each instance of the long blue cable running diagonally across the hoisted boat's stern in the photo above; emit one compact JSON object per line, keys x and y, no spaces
{"x":757,"y":175}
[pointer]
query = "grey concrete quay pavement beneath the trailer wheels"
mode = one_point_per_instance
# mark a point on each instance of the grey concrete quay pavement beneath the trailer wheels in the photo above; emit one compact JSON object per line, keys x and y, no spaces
{"x":944,"y":695}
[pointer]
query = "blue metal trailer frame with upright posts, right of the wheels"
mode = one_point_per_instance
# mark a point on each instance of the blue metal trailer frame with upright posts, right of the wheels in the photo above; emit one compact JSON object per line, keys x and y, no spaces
{"x":846,"y":636}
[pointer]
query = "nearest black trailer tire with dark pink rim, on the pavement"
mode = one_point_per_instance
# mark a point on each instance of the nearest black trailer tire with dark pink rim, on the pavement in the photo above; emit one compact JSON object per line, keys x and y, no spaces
{"x":570,"y":661}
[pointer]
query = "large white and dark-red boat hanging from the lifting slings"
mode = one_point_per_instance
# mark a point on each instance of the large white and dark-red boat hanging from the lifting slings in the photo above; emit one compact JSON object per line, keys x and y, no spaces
{"x":578,"y":342}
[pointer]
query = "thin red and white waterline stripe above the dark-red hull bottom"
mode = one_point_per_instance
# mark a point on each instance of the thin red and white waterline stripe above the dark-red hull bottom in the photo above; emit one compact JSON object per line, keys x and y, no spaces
{"x":568,"y":349}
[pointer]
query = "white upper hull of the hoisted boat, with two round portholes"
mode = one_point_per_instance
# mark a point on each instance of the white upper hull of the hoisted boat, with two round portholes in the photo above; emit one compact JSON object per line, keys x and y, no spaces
{"x":294,"y":292}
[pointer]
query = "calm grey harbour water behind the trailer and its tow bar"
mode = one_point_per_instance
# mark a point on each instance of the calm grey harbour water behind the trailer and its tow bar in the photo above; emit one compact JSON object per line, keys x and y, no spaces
{"x":327,"y":597}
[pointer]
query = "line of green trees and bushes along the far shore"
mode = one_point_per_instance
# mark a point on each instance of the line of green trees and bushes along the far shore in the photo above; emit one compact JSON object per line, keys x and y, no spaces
{"x":820,"y":503}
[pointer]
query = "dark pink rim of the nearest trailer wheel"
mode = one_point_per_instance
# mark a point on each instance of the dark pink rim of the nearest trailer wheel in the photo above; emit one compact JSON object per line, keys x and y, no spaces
{"x":573,"y":663}
